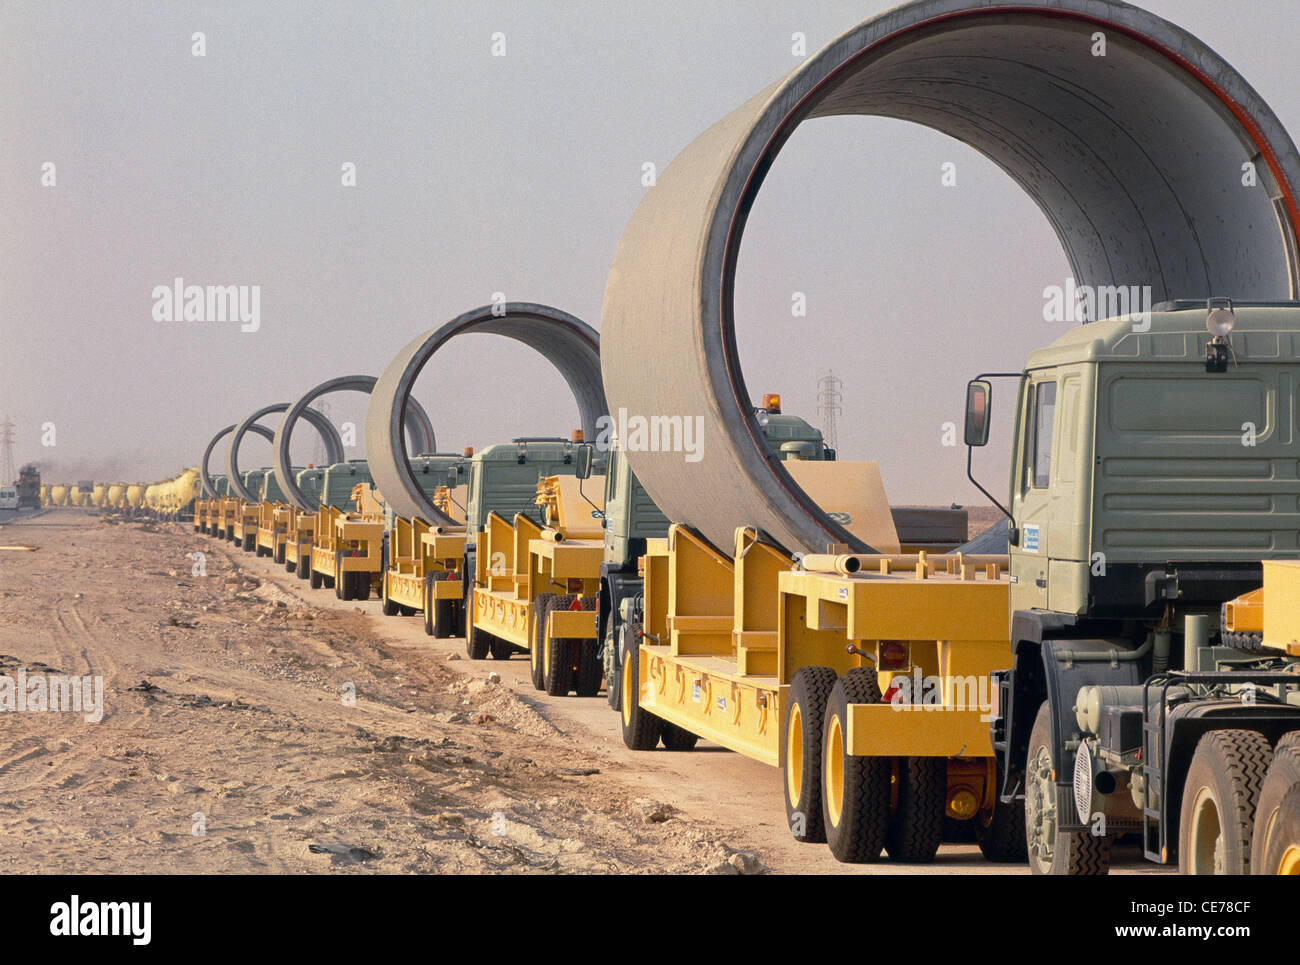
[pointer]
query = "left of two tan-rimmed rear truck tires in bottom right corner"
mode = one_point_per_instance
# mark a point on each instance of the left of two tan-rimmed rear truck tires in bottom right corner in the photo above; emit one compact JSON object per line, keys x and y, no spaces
{"x":1221,"y":795}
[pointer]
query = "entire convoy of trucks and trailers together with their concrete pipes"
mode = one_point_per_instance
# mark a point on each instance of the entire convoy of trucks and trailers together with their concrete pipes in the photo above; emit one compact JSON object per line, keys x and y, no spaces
{"x":1116,"y":661}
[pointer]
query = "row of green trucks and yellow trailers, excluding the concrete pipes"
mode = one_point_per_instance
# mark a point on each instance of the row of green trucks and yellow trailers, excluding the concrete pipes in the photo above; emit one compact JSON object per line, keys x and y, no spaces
{"x":1119,"y":660}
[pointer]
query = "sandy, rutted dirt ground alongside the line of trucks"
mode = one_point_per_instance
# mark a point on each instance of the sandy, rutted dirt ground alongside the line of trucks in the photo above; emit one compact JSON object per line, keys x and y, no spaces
{"x":253,"y":725}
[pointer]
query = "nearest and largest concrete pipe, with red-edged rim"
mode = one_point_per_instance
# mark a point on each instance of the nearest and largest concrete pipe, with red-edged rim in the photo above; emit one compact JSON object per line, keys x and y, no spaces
{"x":1136,"y":158}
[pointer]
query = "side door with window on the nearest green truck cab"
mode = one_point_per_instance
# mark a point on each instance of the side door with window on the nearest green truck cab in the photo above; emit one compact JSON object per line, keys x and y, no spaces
{"x":1032,"y":496}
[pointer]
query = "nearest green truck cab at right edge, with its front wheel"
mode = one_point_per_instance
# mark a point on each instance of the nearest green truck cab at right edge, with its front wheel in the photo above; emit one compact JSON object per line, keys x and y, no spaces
{"x":1155,"y":466}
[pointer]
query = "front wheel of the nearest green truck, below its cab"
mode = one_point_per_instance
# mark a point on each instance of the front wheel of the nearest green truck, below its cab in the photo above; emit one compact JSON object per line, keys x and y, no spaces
{"x":1046,"y":808}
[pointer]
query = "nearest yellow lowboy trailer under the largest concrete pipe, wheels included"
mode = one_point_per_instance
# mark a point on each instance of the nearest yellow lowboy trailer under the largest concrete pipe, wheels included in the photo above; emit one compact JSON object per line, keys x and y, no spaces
{"x":865,"y":678}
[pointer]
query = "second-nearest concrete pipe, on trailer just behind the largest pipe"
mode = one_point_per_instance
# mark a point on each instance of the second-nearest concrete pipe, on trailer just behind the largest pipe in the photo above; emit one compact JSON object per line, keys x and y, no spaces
{"x":569,"y":344}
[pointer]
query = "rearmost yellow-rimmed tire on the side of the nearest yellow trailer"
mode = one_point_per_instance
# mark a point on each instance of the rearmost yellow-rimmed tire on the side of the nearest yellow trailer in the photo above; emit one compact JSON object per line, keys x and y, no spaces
{"x":855,"y":790}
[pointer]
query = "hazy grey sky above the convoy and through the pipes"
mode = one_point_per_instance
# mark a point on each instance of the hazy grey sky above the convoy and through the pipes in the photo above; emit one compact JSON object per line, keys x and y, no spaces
{"x":480,"y":175}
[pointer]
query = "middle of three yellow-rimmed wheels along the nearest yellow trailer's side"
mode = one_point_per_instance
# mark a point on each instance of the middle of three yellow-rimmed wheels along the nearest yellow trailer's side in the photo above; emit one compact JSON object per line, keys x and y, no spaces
{"x":801,"y":754}
